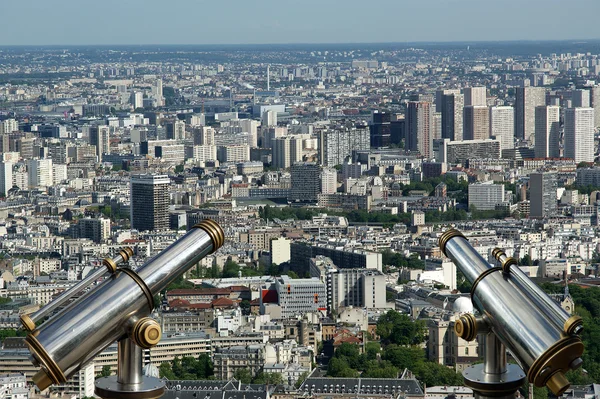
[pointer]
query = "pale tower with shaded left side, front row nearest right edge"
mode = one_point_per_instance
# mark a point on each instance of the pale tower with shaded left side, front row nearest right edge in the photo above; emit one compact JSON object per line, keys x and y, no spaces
{"x":579,"y":134}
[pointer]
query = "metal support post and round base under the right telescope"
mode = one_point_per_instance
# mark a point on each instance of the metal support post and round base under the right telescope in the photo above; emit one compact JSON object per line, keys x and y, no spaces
{"x":494,"y":379}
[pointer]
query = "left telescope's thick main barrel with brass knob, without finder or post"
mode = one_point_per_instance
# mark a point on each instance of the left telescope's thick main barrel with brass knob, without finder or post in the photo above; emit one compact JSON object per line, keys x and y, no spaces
{"x":63,"y":344}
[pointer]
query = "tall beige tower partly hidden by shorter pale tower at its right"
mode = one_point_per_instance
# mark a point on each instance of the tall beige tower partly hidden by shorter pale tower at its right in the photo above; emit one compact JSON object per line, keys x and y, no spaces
{"x":527,"y":98}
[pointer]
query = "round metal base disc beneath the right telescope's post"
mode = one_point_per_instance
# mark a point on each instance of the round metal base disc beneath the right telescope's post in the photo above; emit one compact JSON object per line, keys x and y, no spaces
{"x":485,"y":385}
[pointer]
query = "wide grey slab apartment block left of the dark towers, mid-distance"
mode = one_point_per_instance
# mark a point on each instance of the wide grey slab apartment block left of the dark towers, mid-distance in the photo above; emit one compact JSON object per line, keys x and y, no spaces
{"x":337,"y":144}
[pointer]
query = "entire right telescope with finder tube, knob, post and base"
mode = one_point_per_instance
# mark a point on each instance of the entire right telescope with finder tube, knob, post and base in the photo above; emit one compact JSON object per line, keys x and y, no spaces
{"x":516,"y":315}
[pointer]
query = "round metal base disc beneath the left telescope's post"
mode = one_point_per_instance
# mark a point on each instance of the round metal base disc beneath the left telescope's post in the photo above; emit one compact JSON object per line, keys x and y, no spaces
{"x":110,"y":388}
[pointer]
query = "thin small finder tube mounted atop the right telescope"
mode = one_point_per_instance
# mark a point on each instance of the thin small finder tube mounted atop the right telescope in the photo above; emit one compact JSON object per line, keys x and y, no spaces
{"x":558,"y":316}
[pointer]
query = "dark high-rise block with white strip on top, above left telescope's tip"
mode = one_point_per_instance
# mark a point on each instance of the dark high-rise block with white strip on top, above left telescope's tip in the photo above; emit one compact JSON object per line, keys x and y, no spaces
{"x":150,"y":202}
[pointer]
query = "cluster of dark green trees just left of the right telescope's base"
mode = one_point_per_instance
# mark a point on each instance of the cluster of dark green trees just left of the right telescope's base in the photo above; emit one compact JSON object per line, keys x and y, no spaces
{"x":398,"y":349}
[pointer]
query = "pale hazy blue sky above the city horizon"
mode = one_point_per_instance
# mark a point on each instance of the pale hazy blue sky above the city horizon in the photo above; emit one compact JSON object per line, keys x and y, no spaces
{"x":287,"y":21}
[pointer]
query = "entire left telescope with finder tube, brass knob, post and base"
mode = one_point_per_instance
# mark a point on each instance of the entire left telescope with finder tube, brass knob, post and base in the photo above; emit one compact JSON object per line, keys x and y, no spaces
{"x":117,"y":309}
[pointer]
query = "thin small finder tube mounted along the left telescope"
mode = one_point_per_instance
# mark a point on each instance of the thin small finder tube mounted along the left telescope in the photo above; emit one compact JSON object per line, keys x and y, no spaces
{"x":30,"y":320}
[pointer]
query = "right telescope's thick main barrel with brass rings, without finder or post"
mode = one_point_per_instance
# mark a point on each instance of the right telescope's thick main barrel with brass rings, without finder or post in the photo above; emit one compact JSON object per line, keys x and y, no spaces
{"x":541,"y":349}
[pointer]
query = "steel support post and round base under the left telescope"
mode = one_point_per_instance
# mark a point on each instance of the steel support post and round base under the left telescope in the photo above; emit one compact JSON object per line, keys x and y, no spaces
{"x":129,"y":383}
